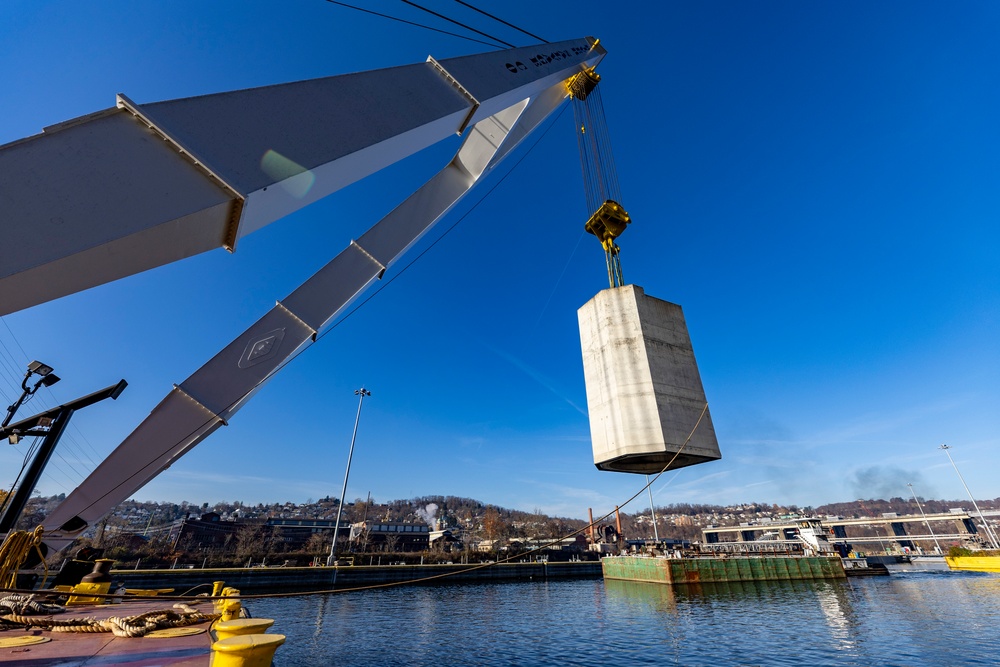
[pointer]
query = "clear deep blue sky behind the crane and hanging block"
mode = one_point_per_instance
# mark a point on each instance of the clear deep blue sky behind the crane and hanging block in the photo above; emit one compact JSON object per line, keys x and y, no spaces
{"x":816,"y":183}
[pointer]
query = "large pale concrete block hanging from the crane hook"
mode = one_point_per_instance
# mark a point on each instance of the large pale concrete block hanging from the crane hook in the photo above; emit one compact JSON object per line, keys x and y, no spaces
{"x":644,"y":393}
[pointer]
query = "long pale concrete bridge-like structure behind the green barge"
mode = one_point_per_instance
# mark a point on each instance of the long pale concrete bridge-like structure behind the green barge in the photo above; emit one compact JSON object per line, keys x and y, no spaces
{"x":891,"y":528}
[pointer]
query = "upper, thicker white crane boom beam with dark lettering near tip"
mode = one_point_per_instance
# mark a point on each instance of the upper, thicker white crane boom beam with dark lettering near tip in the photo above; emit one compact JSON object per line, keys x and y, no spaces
{"x":136,"y":186}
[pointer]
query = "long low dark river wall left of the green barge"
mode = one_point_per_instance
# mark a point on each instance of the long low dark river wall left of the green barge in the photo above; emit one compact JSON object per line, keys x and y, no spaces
{"x":273,"y":579}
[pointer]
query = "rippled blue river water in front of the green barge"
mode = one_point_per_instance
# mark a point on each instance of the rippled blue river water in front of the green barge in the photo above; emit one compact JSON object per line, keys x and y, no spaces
{"x":913,"y":617}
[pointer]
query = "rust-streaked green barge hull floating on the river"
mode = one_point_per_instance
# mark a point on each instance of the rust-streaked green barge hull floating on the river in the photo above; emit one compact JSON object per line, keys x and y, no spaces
{"x":721,"y":569}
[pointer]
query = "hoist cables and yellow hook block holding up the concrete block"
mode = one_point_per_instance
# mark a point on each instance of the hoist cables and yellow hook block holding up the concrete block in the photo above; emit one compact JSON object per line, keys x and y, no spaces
{"x":600,"y":178}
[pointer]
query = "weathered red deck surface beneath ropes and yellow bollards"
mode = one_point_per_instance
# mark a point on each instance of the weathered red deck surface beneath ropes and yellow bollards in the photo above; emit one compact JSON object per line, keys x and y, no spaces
{"x":97,"y":649}
